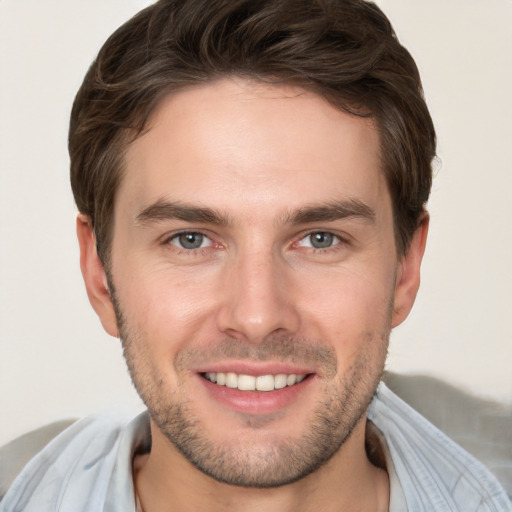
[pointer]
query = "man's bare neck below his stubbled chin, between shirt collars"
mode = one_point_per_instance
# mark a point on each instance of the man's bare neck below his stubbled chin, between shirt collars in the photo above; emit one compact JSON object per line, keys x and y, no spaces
{"x":348,"y":482}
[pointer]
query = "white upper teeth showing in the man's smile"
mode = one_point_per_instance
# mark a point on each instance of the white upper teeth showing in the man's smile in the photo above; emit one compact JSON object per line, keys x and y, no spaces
{"x":251,"y":383}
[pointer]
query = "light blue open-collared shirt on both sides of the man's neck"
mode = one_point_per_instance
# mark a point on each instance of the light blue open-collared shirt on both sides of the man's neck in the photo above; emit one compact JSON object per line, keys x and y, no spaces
{"x":88,"y":467}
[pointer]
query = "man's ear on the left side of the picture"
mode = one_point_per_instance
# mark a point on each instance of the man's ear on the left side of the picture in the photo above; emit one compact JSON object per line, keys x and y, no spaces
{"x":94,"y":275}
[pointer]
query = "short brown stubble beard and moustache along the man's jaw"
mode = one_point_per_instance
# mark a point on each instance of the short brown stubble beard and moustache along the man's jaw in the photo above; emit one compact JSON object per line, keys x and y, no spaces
{"x":280,"y":462}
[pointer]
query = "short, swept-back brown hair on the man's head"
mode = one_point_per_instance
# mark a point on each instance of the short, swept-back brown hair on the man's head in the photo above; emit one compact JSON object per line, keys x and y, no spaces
{"x":344,"y":50}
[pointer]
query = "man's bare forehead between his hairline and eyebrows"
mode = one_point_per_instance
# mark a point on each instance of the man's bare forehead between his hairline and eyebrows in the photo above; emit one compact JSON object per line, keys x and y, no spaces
{"x":237,"y":143}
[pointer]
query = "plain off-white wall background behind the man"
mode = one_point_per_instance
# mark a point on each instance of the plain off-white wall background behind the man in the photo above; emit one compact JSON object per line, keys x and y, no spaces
{"x":55,"y":360}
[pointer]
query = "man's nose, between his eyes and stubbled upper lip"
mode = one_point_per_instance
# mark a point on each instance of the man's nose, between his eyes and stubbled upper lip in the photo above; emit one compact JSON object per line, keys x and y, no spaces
{"x":258,"y":299}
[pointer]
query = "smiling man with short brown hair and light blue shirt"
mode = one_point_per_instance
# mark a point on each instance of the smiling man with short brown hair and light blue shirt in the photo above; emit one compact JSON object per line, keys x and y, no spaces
{"x":252,"y":178}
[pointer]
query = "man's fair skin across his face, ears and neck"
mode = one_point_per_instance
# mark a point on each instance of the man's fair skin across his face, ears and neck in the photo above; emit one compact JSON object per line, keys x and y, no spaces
{"x":268,"y":163}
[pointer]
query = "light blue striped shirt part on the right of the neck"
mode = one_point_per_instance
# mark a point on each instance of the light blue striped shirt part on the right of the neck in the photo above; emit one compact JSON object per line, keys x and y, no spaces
{"x":433,"y":472}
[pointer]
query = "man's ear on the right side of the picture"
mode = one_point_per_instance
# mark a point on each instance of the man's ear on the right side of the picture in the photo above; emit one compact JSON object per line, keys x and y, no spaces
{"x":408,"y":275}
